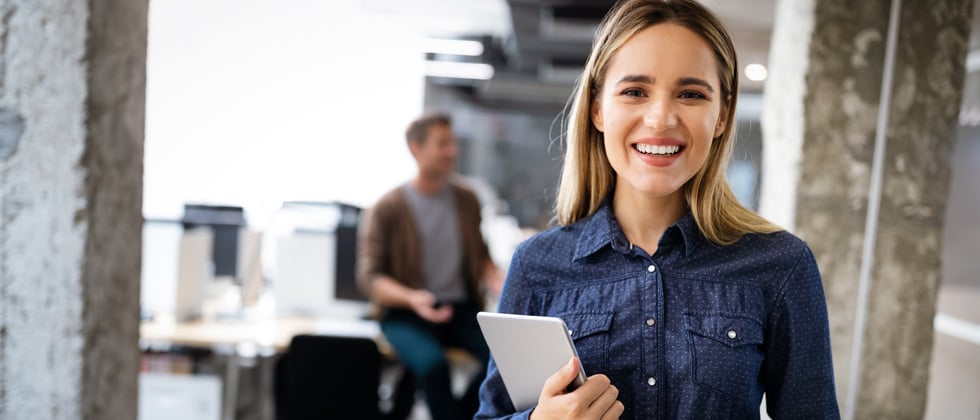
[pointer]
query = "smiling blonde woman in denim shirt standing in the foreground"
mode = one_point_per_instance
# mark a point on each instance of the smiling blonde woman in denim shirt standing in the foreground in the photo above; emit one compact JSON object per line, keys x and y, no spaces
{"x":682,"y":303}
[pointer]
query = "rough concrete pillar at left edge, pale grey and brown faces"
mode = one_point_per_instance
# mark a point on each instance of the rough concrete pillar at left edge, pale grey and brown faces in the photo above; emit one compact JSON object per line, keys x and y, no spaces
{"x":72,"y":93}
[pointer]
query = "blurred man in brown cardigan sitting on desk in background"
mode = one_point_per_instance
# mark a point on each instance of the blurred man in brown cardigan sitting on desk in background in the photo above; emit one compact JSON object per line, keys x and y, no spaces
{"x":421,"y":260}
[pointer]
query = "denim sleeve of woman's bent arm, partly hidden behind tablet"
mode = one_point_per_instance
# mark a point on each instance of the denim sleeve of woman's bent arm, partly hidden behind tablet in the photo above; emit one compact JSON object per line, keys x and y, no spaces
{"x":495,"y":403}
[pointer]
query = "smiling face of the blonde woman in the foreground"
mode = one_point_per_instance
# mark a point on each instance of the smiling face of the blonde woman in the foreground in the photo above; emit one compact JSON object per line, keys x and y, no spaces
{"x":659,"y":108}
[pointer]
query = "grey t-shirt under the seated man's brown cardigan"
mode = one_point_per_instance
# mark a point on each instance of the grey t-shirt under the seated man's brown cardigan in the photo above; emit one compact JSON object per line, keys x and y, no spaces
{"x":442,"y":253}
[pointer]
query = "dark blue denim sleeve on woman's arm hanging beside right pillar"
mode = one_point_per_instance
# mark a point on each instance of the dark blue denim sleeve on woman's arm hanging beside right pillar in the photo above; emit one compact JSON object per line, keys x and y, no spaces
{"x":798,"y":371}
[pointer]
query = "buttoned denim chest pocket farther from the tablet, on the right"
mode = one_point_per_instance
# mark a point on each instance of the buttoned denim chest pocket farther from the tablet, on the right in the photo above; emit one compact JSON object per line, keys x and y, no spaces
{"x":727,"y":352}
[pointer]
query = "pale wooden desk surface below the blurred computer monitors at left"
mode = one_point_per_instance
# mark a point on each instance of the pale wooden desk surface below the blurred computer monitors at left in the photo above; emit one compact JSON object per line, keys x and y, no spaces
{"x":272,"y":333}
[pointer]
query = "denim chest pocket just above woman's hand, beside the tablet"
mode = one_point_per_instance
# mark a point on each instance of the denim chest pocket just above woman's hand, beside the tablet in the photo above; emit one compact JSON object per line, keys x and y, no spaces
{"x":590,"y":332}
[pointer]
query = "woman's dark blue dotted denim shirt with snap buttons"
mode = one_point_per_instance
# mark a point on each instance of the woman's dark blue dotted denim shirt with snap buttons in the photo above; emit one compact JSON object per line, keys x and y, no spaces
{"x":697,"y":331}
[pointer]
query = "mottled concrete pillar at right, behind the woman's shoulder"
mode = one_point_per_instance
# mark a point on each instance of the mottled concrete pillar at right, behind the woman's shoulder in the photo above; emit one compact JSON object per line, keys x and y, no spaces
{"x":820,"y":122}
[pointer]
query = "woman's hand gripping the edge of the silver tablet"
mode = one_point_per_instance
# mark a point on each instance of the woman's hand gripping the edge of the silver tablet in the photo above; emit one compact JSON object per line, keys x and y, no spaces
{"x":595,"y":399}
